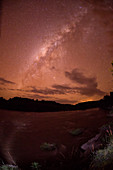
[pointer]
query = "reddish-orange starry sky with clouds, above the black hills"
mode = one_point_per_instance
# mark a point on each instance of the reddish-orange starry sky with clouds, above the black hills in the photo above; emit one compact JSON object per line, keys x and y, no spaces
{"x":57,"y":50}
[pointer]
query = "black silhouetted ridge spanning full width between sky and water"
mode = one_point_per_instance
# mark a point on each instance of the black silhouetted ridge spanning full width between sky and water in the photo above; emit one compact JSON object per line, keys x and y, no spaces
{"x":31,"y":105}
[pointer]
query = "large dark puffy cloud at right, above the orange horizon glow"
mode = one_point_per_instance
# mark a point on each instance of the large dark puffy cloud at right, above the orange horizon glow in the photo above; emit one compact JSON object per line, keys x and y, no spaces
{"x":90,"y":83}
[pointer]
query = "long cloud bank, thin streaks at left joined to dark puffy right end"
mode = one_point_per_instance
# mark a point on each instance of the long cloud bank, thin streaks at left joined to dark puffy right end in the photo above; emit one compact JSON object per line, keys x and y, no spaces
{"x":88,"y":88}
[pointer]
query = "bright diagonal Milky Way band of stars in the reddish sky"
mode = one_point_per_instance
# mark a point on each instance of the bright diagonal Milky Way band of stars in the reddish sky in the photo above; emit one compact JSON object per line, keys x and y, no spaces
{"x":51,"y":52}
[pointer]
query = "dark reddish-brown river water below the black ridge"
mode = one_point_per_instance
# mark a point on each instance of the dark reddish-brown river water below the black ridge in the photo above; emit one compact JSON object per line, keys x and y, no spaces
{"x":22,"y":133}
